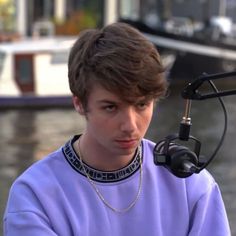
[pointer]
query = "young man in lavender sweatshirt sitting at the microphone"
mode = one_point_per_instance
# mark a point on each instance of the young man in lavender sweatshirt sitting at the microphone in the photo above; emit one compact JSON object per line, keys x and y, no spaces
{"x":104,"y":181}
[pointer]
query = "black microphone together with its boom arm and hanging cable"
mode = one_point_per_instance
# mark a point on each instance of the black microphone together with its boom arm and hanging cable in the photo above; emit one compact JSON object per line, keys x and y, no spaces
{"x":178,"y":159}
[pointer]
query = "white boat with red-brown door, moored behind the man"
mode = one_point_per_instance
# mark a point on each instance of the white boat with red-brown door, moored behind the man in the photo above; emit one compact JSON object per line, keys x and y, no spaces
{"x":33,"y":72}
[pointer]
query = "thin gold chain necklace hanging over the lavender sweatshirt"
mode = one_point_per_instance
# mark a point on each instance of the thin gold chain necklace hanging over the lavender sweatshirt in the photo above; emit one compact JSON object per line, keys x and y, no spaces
{"x":99,"y":193}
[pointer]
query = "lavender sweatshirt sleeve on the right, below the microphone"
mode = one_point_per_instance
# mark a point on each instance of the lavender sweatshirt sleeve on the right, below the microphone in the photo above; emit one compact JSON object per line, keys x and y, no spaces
{"x":209,"y":216}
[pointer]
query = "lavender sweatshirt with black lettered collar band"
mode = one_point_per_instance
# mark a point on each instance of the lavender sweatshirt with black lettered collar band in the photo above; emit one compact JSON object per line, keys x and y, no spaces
{"x":54,"y":197}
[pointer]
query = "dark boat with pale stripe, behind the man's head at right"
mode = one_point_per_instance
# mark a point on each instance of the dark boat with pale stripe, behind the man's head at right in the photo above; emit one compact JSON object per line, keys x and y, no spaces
{"x":197,"y":47}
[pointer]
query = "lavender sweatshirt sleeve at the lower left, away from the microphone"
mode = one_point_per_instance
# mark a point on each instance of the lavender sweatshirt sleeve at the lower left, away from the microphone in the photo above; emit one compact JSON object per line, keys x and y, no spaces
{"x":26,"y":212}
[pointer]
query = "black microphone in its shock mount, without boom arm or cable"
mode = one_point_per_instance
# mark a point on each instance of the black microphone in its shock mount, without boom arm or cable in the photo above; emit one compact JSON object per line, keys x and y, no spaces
{"x":178,"y":159}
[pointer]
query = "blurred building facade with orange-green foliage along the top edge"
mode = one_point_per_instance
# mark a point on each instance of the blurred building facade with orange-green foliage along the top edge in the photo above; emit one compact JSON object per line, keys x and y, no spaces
{"x":32,"y":17}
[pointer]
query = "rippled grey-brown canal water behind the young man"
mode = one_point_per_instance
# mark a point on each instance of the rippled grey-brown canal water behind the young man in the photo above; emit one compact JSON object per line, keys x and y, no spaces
{"x":28,"y":135}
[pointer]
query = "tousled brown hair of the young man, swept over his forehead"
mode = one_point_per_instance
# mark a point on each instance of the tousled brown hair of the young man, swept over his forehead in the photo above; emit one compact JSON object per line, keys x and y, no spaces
{"x":119,"y":58}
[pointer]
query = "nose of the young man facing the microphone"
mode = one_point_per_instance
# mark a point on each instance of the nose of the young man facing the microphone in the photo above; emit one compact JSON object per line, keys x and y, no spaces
{"x":128,"y":122}
